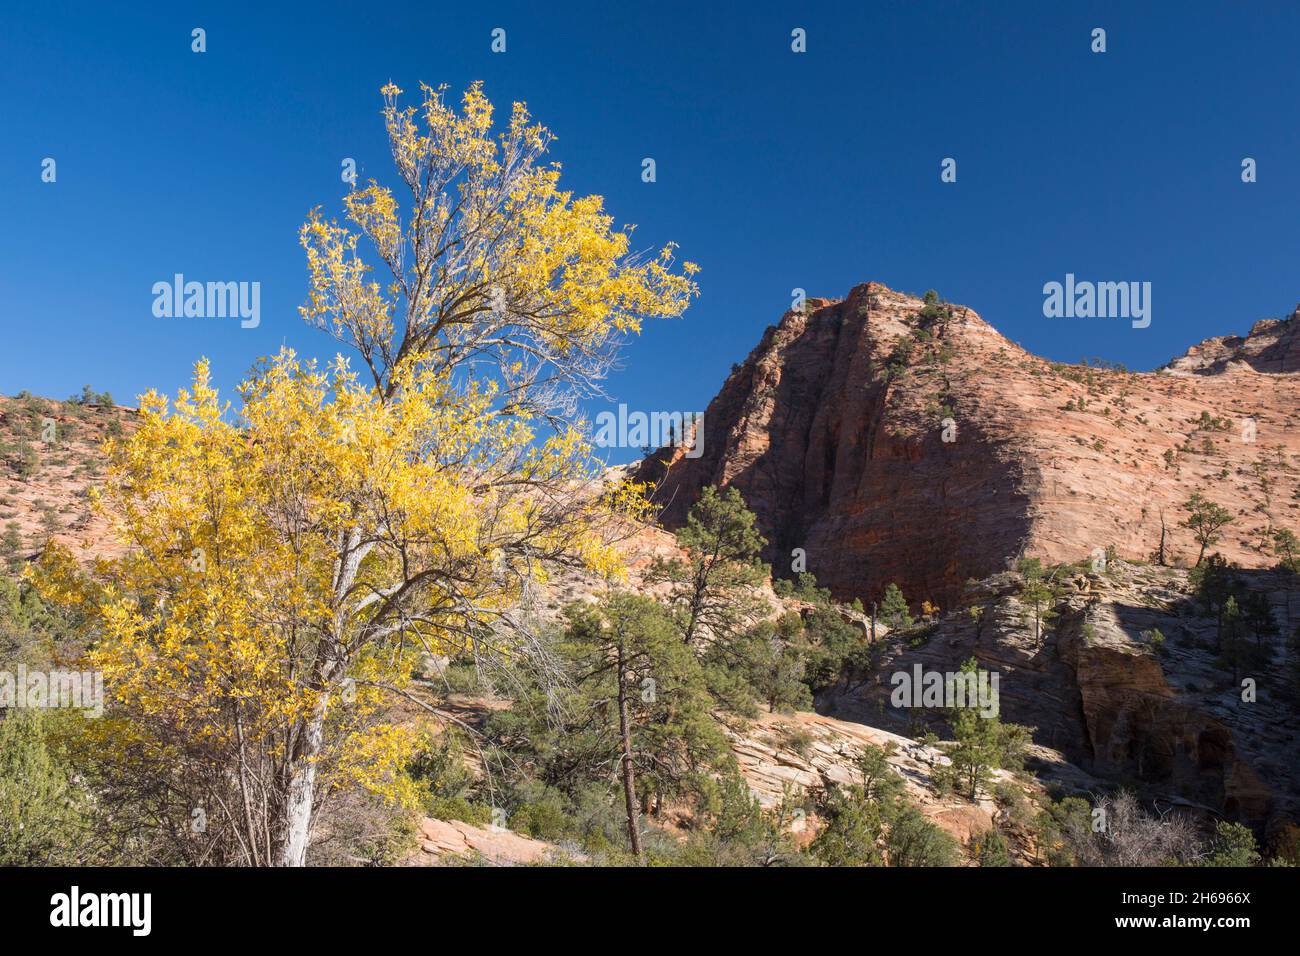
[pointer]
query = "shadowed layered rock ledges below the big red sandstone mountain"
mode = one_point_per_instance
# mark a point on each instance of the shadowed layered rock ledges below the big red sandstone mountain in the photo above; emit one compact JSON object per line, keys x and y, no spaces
{"x":1162,"y":717}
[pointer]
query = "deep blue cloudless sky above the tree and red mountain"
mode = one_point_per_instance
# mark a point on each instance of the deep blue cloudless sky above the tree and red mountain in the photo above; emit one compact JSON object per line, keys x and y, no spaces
{"x":774,"y":170}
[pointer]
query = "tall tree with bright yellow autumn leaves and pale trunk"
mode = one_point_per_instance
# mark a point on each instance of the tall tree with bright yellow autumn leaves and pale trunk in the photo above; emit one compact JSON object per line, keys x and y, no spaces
{"x":291,"y":556}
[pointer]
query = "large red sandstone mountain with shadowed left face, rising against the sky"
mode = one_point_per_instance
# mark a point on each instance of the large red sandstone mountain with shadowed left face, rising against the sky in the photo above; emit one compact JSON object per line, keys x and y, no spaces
{"x":834,"y":431}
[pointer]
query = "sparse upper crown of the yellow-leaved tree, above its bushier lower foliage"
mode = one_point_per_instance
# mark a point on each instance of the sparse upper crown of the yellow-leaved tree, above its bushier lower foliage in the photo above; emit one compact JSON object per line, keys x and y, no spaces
{"x":496,"y":265}
